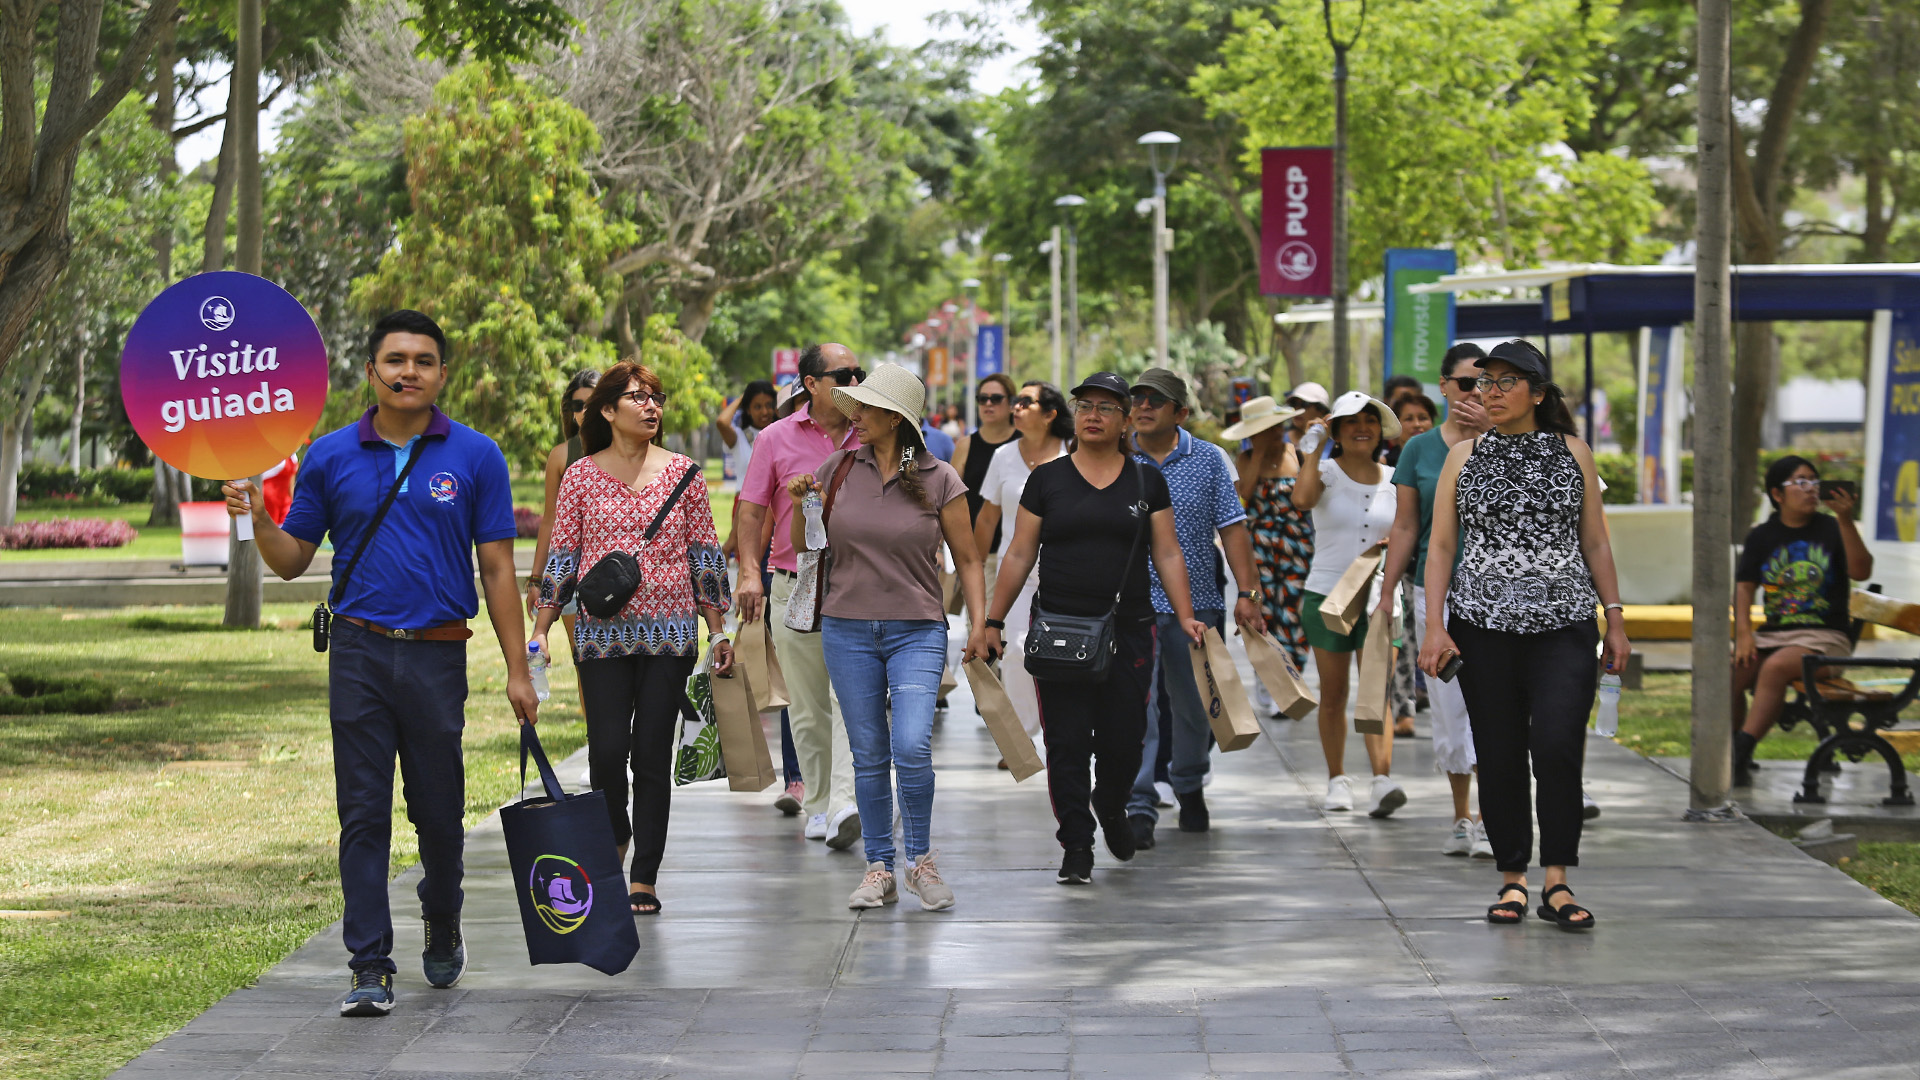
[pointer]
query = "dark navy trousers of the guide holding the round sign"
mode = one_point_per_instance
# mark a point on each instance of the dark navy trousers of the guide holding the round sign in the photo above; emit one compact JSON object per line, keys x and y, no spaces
{"x":391,"y":700}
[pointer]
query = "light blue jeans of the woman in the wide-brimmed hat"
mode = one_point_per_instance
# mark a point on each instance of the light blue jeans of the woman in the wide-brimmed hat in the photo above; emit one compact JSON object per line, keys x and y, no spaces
{"x":876,"y":664}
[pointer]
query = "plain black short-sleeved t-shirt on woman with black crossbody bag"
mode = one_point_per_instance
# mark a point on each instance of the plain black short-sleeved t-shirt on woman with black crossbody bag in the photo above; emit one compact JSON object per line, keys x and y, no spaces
{"x":1086,"y":535}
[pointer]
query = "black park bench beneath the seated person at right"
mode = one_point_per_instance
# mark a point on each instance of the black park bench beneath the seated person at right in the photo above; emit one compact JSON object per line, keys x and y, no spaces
{"x":1850,"y":718}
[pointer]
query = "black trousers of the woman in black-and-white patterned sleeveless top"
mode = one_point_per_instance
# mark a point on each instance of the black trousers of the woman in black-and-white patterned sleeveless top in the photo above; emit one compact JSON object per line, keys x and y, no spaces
{"x":1529,"y":697}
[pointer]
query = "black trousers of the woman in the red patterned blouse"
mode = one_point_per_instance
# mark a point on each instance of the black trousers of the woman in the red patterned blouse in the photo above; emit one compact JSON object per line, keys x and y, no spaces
{"x":633,"y":704}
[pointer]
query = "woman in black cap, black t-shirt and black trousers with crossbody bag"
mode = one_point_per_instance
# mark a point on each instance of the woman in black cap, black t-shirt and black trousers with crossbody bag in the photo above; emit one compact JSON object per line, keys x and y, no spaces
{"x":1078,"y":518}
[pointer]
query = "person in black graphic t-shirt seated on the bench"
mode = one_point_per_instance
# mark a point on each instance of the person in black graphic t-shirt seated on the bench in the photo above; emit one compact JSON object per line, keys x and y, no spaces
{"x":1808,"y":564}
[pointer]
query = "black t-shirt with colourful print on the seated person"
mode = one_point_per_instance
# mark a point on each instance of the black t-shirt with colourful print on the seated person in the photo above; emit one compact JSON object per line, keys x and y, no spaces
{"x":1802,"y":576}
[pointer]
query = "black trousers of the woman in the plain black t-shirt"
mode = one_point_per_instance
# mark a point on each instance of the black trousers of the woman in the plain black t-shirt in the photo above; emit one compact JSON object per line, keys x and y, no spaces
{"x":1093,"y":737}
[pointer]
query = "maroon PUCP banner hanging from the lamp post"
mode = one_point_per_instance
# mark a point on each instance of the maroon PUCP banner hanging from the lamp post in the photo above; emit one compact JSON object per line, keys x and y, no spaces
{"x":1297,"y":222}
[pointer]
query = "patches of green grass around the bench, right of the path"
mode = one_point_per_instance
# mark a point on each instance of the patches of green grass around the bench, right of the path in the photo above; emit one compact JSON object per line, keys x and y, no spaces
{"x":1658,"y":722}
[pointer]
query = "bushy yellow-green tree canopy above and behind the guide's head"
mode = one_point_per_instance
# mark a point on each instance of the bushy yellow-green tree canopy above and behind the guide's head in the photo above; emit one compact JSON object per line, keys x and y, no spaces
{"x":506,"y":247}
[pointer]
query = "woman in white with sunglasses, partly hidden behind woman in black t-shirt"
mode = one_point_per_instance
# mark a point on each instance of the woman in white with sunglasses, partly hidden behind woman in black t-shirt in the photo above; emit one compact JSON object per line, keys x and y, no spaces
{"x":1044,"y":428}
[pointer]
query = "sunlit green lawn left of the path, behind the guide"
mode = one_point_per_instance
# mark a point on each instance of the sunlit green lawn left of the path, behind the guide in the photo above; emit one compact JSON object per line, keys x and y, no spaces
{"x":189,"y":835}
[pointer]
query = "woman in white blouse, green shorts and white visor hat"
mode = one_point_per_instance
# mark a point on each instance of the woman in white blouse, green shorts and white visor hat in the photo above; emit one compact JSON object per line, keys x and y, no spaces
{"x":1353,"y":501}
